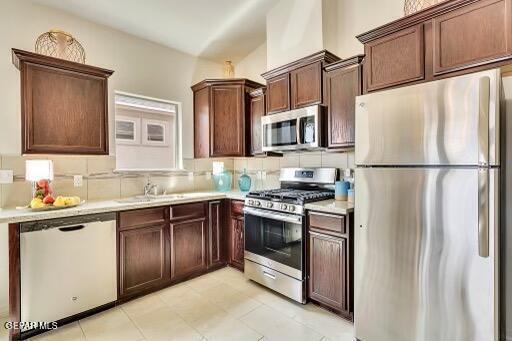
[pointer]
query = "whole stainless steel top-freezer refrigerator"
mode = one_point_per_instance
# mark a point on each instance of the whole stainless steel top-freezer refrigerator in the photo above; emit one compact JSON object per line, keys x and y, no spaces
{"x":427,"y":211}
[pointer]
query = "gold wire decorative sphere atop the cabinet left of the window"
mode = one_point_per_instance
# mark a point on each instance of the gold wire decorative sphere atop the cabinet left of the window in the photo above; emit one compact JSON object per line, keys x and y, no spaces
{"x":60,"y":44}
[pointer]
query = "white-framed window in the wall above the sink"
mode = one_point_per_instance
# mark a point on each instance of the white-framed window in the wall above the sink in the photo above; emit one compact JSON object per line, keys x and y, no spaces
{"x":148,"y":133}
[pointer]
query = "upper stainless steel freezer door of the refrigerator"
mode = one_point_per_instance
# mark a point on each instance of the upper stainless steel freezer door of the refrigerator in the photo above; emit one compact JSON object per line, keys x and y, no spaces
{"x":447,"y":122}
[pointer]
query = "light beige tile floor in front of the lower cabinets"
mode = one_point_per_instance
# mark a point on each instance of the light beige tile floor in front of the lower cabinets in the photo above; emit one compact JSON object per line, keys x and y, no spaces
{"x":221,"y":305}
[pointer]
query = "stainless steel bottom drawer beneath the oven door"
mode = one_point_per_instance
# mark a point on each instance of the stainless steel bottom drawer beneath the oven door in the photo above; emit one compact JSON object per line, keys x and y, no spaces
{"x":283,"y":284}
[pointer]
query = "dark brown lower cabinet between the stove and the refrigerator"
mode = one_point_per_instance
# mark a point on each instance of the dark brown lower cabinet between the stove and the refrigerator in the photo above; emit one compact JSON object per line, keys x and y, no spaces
{"x":330,"y":262}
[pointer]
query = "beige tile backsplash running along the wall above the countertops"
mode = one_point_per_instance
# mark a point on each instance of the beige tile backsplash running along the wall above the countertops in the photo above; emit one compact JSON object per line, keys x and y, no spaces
{"x":101,"y":182}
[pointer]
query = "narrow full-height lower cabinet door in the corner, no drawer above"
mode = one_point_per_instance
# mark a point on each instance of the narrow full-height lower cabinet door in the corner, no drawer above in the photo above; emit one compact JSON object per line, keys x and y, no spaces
{"x":215,"y":234}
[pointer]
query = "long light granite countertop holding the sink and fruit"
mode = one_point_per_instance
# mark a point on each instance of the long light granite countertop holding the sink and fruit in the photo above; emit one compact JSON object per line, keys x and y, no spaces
{"x":13,"y":215}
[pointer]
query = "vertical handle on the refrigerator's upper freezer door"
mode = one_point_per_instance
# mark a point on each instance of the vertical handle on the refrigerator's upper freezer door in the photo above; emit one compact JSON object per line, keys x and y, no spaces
{"x":483,"y":120}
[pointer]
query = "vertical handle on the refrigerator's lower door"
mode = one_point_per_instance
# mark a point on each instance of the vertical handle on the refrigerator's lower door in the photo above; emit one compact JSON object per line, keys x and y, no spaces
{"x":483,"y":212}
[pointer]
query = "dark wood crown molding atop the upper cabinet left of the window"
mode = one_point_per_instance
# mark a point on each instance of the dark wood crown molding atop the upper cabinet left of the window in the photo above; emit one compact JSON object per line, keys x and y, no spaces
{"x":21,"y":56}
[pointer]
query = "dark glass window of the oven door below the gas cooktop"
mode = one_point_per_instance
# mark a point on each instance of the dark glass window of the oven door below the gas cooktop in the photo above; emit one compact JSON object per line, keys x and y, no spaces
{"x":276,"y":240}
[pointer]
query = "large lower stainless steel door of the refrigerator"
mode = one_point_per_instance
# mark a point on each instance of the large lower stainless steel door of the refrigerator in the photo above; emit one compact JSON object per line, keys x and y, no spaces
{"x":419,"y":272}
